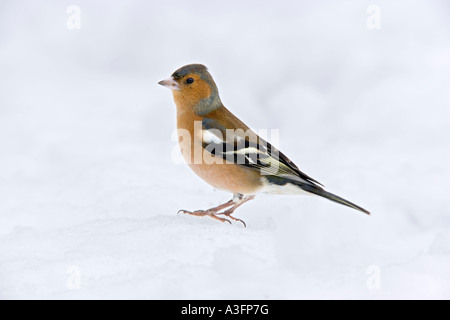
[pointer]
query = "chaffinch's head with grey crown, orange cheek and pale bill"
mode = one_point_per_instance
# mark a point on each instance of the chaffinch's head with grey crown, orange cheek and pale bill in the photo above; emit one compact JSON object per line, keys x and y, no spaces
{"x":193,"y":86}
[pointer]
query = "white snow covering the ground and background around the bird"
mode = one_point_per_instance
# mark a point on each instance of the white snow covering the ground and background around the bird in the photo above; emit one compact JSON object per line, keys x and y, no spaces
{"x":89,"y":190}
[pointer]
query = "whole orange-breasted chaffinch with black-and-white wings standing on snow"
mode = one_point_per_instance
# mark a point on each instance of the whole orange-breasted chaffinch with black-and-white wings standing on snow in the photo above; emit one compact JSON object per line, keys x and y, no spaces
{"x":226,"y":153}
